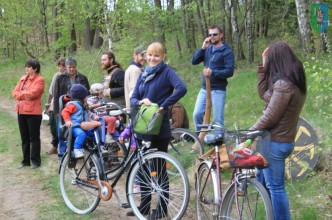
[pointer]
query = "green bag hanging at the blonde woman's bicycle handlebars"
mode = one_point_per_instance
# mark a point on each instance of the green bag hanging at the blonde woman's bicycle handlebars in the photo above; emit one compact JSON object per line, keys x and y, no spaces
{"x":147,"y":120}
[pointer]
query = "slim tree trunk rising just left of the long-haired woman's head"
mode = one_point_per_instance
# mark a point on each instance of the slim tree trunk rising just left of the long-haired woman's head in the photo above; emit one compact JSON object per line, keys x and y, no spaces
{"x":249,"y":30}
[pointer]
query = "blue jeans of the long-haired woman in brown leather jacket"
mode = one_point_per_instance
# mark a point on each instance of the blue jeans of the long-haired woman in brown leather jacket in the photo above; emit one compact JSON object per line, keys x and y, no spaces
{"x":274,"y":177}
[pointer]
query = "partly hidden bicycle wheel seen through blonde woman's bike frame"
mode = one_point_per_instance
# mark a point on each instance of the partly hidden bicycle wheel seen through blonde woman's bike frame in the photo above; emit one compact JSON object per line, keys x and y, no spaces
{"x":114,"y":158}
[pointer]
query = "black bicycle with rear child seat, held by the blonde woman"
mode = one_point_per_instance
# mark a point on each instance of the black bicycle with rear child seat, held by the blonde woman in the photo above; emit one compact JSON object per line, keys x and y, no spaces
{"x":84,"y":182}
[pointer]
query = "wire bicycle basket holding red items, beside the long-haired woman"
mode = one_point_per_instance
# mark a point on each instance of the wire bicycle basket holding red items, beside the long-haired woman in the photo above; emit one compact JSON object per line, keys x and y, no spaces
{"x":248,"y":149}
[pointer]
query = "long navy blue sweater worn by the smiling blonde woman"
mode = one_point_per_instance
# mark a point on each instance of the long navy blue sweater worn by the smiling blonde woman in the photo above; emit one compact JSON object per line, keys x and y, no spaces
{"x":165,"y":89}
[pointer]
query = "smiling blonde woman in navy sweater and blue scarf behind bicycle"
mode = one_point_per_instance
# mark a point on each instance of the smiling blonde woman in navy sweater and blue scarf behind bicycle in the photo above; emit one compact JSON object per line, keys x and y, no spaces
{"x":159,"y":84}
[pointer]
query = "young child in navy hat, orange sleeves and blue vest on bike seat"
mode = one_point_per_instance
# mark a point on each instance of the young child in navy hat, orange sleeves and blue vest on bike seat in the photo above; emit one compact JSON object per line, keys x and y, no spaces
{"x":74,"y":114}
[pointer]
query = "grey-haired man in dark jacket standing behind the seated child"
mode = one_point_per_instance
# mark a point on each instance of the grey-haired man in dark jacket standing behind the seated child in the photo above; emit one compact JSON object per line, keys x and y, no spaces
{"x":62,"y":85}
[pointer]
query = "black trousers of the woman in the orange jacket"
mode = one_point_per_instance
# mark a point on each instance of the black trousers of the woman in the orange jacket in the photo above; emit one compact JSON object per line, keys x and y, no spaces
{"x":29,"y":126}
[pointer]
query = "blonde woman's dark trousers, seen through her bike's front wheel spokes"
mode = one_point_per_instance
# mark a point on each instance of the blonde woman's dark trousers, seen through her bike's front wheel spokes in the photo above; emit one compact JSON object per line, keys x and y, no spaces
{"x":159,"y":166}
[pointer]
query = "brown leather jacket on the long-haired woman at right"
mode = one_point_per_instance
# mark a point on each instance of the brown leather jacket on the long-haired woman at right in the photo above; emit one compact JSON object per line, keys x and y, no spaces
{"x":282,"y":108}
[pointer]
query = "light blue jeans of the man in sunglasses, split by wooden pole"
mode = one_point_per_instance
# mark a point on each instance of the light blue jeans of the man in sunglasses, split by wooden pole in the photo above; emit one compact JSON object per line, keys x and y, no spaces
{"x":218,"y":98}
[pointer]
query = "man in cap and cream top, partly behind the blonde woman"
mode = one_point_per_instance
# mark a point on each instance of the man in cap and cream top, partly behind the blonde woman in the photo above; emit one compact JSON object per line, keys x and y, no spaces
{"x":133,"y":71}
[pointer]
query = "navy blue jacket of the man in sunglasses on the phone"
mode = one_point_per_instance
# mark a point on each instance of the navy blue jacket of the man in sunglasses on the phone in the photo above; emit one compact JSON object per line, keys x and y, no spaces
{"x":220,"y":60}
